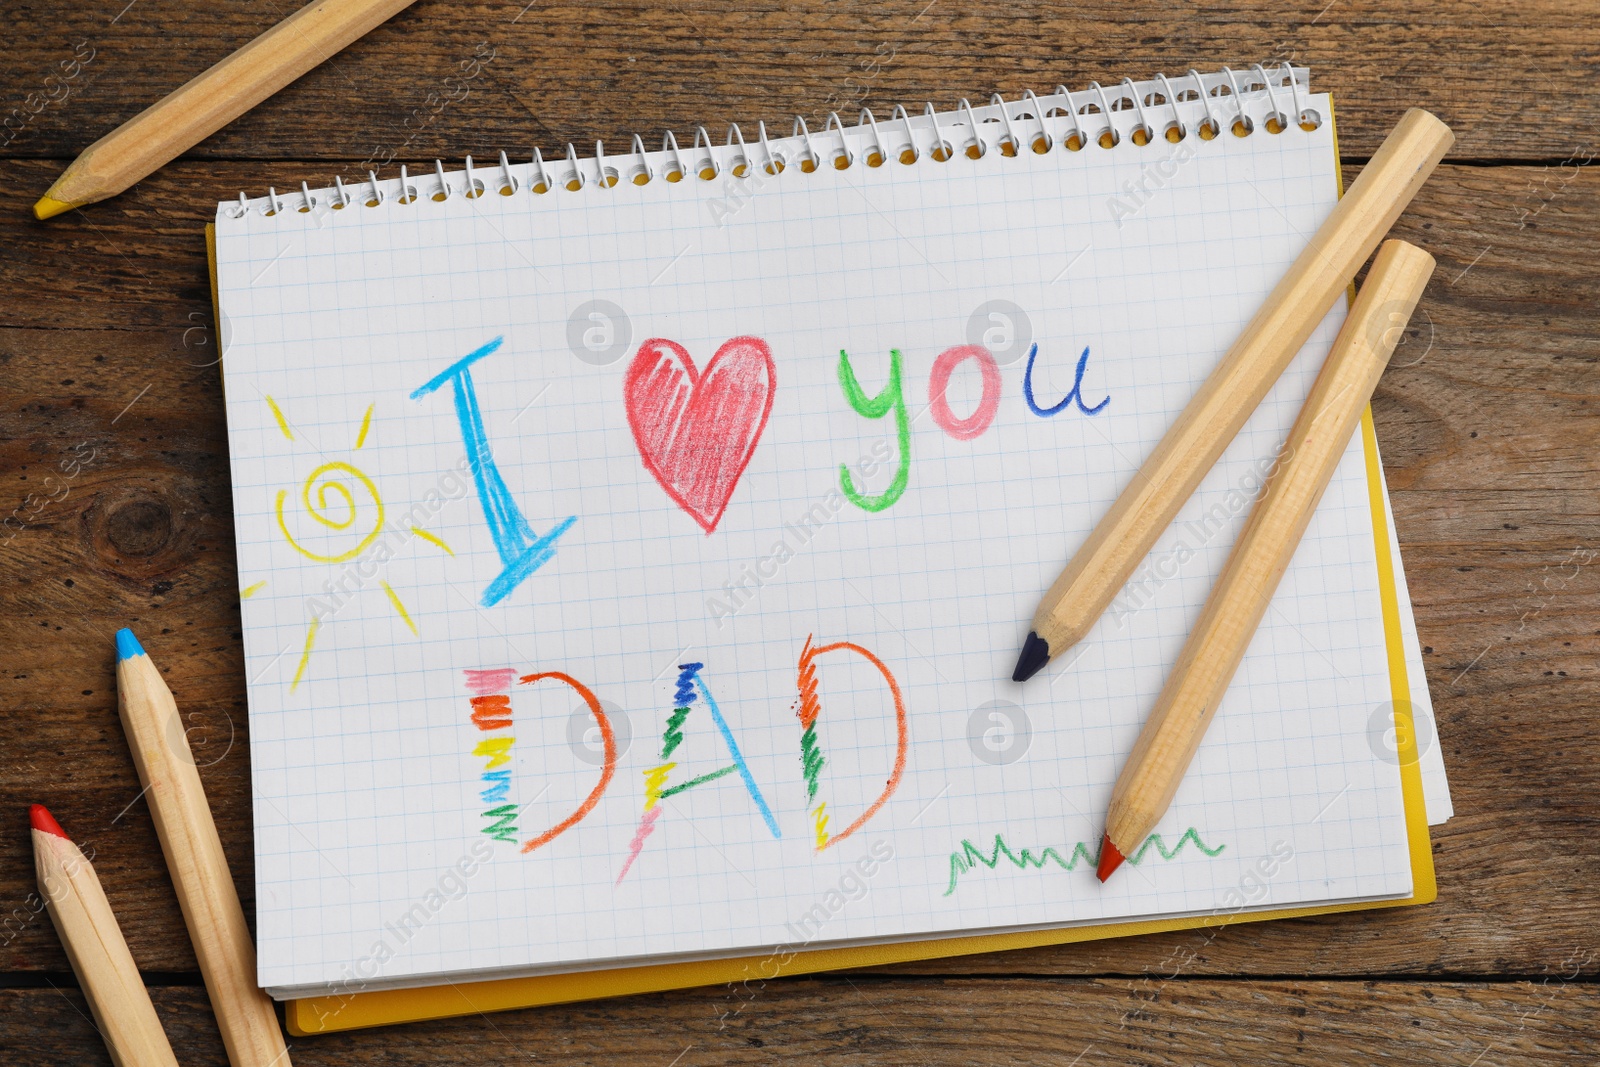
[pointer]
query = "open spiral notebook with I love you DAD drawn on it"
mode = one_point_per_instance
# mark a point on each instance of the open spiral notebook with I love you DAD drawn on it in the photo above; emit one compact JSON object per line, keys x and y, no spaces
{"x":634,"y":551}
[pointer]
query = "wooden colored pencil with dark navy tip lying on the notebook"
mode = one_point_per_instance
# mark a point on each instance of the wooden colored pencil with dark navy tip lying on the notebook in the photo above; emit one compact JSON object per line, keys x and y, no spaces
{"x":1126,"y":537}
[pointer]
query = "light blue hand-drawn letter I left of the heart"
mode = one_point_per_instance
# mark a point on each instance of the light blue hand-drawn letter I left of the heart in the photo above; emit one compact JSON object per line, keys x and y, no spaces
{"x":521,"y":549}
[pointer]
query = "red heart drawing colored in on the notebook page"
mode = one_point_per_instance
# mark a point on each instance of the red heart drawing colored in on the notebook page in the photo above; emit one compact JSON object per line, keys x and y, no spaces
{"x":697,"y":431}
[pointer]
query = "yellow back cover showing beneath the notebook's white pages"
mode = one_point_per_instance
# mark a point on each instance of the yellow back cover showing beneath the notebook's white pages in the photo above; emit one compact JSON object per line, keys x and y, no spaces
{"x":348,"y":1012}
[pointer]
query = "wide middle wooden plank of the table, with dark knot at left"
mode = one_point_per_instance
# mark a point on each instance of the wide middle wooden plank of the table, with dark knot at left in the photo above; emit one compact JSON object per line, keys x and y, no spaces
{"x":1490,"y":441}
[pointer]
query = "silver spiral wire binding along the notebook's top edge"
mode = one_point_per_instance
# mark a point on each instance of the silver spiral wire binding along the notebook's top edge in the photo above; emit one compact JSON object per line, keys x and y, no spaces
{"x":1026,"y":122}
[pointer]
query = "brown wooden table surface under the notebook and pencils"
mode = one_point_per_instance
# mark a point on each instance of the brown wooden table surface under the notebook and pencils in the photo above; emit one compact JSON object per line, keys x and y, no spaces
{"x":1489,"y":428}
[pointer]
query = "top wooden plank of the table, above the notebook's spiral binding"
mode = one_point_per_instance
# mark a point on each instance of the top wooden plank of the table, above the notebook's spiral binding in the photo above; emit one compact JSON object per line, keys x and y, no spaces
{"x":1513,"y":84}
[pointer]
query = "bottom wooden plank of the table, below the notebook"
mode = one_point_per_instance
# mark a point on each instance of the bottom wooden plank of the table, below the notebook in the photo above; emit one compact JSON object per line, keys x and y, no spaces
{"x":929,"y":1021}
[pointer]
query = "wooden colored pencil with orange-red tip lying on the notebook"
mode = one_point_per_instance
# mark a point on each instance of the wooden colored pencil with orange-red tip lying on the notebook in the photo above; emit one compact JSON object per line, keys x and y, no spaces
{"x":1239,"y":601}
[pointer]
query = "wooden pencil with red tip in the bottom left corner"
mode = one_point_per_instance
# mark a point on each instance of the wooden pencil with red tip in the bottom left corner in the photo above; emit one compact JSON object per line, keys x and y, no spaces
{"x":95,"y":946}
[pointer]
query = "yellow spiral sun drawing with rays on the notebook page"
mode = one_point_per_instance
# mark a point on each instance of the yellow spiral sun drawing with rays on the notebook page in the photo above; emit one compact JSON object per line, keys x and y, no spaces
{"x":346,"y":521}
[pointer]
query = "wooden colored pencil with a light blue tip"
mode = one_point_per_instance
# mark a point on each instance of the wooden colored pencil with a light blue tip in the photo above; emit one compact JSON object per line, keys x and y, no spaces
{"x":194,"y":857}
